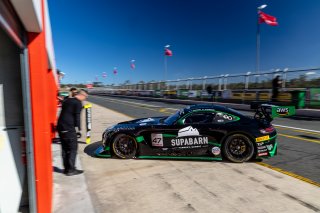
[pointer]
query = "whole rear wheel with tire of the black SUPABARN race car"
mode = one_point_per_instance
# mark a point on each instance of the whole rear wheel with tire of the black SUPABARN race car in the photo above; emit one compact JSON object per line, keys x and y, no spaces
{"x":238,"y":148}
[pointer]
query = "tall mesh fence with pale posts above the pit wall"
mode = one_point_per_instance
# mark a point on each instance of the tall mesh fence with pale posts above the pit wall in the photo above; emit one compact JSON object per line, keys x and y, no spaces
{"x":298,"y":78}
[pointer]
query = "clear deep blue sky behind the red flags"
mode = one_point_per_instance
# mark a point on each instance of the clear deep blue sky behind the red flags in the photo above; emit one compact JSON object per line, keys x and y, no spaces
{"x":207,"y":38}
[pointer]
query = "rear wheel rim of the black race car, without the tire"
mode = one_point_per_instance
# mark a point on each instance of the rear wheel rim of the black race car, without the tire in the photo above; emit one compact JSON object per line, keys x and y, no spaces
{"x":240,"y":148}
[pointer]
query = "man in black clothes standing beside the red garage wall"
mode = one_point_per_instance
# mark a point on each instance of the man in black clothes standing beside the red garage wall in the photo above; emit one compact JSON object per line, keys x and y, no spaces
{"x":68,"y":121}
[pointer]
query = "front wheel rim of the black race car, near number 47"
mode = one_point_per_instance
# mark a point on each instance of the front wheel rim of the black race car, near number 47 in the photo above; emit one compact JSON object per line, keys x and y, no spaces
{"x":125,"y":147}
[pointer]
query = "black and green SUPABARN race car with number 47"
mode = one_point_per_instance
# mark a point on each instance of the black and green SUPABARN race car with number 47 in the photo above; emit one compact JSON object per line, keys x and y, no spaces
{"x":197,"y":132}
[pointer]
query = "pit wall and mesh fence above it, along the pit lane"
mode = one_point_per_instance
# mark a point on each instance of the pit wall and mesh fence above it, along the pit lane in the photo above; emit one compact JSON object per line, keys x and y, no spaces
{"x":298,"y":87}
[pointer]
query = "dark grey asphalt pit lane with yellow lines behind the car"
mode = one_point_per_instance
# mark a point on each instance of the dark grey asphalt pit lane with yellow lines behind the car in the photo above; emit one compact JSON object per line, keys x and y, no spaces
{"x":299,"y":138}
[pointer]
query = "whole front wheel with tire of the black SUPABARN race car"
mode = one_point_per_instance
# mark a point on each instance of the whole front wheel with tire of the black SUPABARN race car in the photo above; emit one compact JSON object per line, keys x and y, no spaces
{"x":124,"y":146}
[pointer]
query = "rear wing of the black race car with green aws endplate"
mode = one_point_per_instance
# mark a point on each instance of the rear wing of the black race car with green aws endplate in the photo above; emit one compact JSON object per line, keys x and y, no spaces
{"x":268,"y":111}
